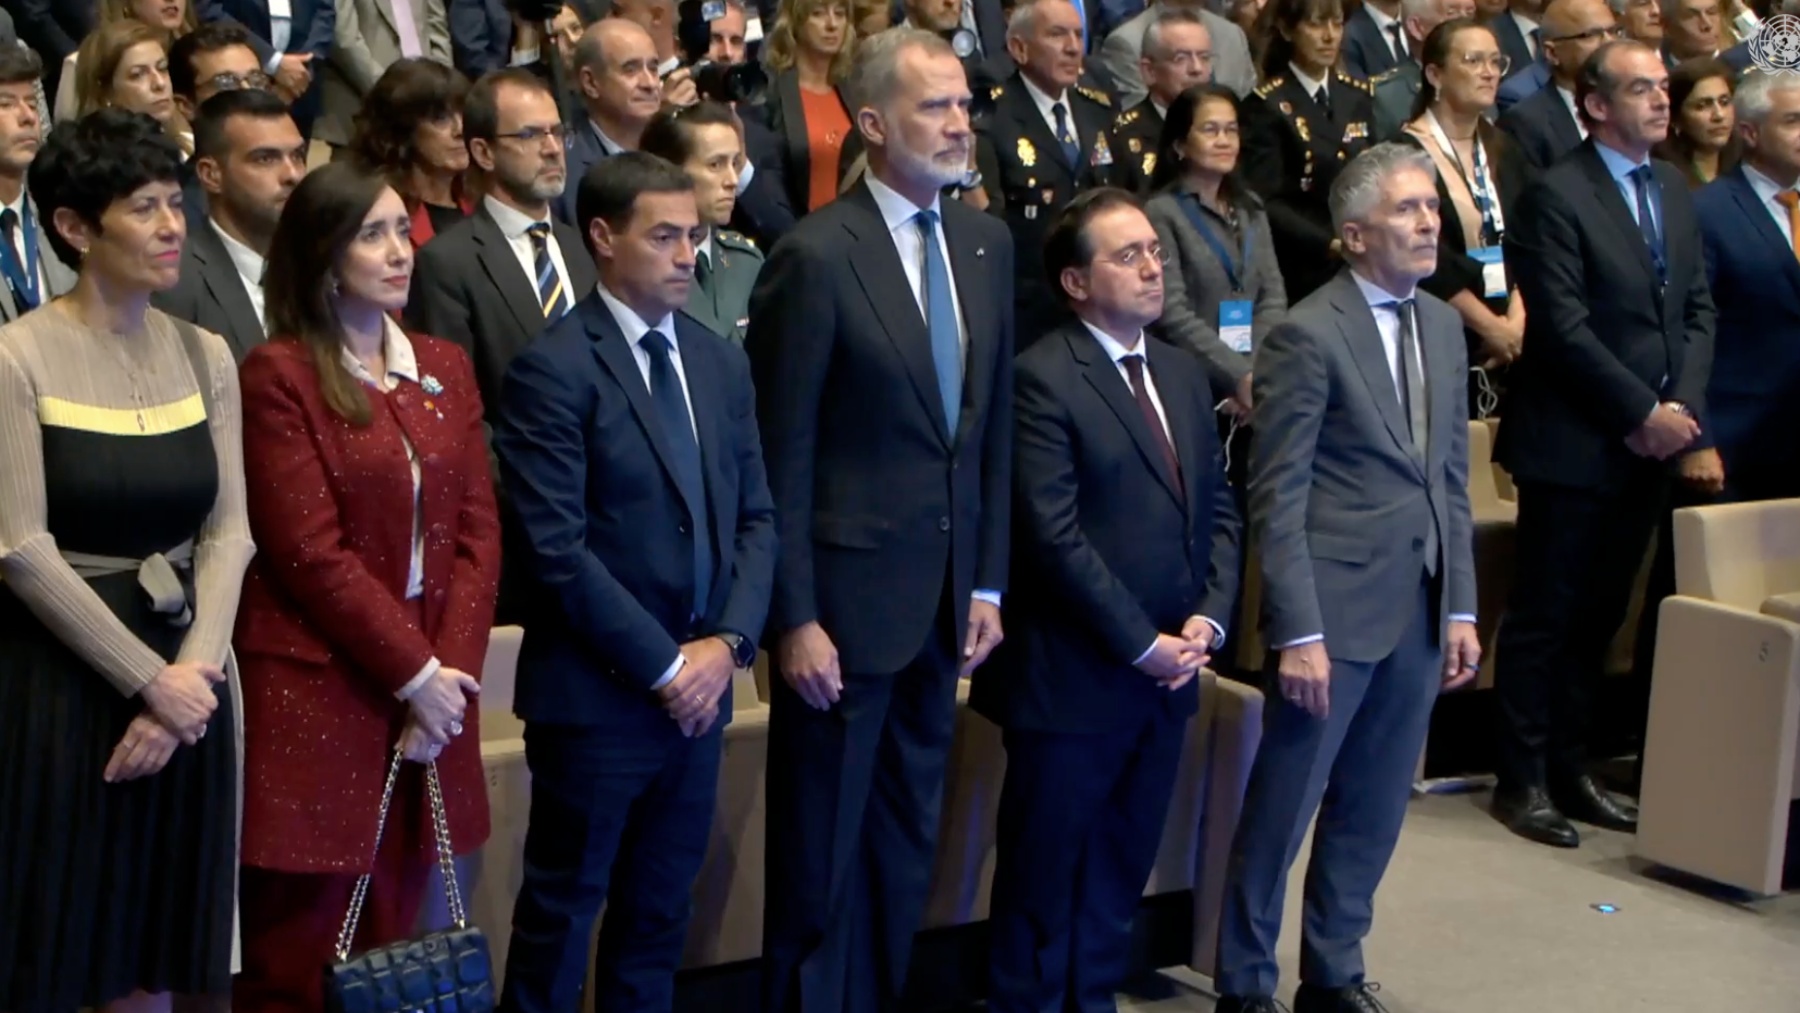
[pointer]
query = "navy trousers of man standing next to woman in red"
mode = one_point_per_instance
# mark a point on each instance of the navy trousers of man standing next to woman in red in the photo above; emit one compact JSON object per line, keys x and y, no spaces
{"x":618,"y":818}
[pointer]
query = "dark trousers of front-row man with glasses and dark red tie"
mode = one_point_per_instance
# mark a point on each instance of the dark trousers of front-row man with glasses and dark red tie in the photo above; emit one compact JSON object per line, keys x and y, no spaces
{"x":1081,"y":823}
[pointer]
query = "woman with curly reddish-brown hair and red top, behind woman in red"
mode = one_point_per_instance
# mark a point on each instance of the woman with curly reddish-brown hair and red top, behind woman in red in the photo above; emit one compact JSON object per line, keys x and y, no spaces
{"x":411,"y":130}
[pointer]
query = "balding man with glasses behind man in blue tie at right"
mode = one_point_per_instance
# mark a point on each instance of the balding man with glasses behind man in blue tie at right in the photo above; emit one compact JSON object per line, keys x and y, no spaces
{"x":1545,"y":125}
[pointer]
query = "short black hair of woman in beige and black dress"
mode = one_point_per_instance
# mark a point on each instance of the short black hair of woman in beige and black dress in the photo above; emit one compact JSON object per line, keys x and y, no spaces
{"x":91,"y":163}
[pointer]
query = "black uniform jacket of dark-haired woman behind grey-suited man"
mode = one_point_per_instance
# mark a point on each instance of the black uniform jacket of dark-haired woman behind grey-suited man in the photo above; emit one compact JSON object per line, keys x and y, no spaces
{"x":1293,"y":150}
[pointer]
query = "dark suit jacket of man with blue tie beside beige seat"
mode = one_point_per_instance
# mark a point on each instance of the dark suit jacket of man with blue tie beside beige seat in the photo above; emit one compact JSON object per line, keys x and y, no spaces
{"x":1605,"y":339}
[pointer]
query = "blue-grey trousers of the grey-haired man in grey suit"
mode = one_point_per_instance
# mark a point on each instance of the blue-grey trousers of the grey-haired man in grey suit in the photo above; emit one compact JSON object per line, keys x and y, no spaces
{"x":1356,"y":771}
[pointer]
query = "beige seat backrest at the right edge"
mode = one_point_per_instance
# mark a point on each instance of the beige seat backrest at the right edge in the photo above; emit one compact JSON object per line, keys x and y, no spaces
{"x":1738,"y":555}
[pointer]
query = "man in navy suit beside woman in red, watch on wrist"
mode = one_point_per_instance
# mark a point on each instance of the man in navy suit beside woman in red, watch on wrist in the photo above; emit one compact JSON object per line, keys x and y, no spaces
{"x":629,"y":449}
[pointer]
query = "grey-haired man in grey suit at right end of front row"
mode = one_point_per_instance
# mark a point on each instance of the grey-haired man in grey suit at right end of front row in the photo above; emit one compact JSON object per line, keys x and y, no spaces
{"x":1358,"y":489}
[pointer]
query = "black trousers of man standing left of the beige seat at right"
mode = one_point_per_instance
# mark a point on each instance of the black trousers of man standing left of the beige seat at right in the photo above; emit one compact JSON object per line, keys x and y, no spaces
{"x":1578,"y":557}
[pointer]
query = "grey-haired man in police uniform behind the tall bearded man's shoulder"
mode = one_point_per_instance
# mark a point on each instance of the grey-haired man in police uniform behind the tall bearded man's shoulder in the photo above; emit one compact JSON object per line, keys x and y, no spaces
{"x":1045,"y":143}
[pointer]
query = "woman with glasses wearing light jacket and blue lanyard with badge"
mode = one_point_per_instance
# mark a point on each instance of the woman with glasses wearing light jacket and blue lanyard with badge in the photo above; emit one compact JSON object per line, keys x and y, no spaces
{"x":1480,"y":177}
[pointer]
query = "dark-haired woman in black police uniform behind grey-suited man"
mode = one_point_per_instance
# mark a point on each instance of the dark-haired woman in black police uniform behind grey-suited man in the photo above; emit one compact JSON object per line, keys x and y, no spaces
{"x":1300,"y":129}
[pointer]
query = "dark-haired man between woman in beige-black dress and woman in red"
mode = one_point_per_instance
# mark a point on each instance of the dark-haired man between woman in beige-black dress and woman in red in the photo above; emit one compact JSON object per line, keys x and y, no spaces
{"x":247,"y":157}
